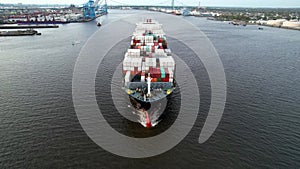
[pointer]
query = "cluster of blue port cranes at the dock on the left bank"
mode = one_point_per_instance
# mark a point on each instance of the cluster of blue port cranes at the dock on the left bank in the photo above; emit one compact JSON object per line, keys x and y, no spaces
{"x":91,"y":7}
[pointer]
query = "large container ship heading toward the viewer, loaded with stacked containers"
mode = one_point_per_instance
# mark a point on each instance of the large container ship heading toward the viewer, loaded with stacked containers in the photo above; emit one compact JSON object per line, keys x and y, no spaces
{"x":148,"y":70}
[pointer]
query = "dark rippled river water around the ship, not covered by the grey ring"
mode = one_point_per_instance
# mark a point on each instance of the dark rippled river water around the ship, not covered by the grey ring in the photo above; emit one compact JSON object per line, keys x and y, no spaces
{"x":260,"y":127}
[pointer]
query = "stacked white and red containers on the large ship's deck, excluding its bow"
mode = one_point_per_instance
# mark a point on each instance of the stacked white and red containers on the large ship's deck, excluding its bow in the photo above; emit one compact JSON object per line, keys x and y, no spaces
{"x":149,"y":53}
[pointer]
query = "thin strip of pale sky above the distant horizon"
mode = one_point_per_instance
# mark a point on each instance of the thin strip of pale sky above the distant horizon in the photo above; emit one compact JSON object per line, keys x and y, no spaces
{"x":227,"y":3}
